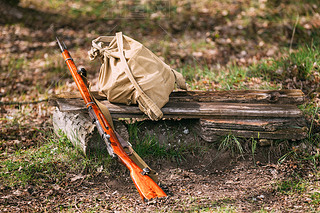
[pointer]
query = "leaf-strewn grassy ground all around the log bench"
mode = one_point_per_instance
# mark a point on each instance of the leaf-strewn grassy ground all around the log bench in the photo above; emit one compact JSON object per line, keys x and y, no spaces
{"x":216,"y":45}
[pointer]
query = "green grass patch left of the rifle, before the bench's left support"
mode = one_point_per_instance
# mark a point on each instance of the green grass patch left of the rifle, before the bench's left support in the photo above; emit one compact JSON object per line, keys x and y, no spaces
{"x":50,"y":161}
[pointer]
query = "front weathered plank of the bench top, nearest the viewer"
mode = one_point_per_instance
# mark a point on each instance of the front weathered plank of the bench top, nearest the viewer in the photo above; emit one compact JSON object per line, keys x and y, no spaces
{"x":193,"y":109}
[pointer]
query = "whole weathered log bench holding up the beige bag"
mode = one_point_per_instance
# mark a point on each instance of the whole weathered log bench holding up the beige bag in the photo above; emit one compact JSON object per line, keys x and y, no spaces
{"x":261,"y":114}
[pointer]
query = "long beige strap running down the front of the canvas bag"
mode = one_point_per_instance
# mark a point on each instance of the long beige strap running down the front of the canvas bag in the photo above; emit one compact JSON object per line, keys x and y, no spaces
{"x":145,"y":103}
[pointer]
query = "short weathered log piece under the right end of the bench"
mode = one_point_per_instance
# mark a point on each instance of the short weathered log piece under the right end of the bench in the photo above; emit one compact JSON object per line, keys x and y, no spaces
{"x":267,"y":128}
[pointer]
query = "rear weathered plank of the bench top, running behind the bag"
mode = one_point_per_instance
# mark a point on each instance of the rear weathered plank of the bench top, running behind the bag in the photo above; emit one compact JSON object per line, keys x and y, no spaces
{"x":293,"y":96}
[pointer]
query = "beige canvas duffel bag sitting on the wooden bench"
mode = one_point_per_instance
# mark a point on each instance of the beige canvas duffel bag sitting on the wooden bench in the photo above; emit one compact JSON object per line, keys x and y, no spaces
{"x":132,"y":74}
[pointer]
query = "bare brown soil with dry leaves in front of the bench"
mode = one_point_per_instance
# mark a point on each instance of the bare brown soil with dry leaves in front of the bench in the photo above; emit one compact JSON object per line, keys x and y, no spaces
{"x":210,"y":182}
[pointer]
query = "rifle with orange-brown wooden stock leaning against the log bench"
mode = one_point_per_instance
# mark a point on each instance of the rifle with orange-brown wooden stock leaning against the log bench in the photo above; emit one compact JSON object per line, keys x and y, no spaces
{"x":146,"y":187}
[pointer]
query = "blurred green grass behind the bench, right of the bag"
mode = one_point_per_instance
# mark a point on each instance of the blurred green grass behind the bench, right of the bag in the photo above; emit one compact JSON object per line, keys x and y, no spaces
{"x":299,"y":65}
